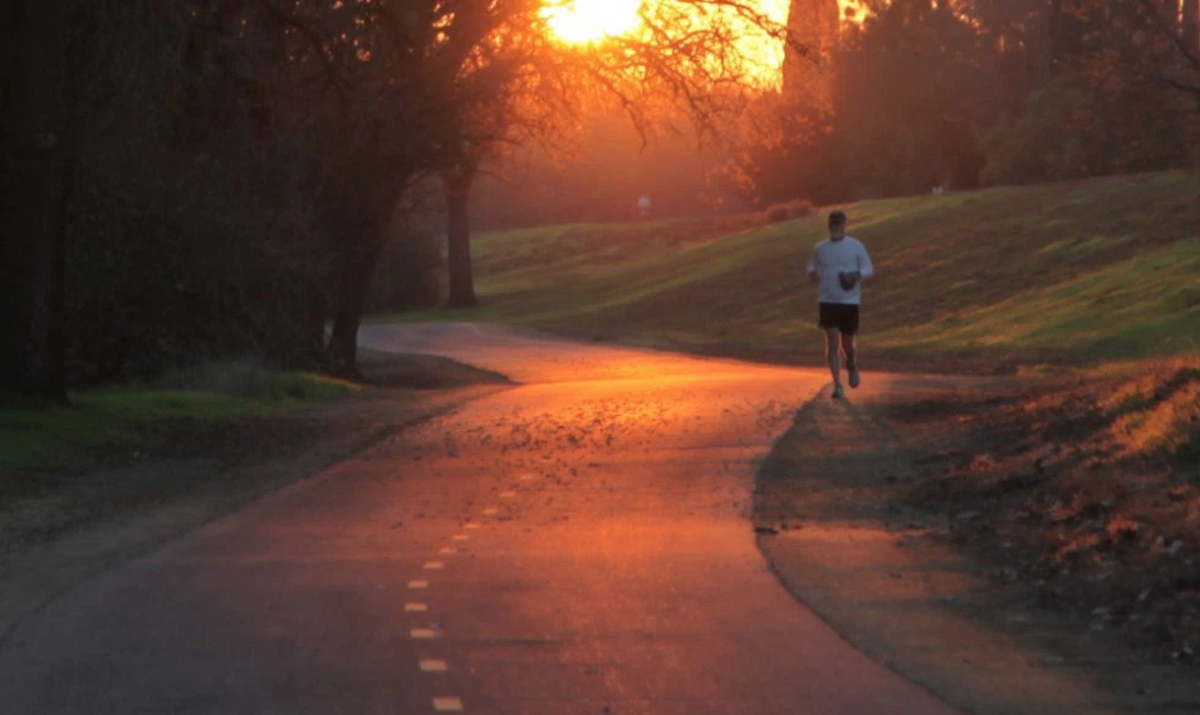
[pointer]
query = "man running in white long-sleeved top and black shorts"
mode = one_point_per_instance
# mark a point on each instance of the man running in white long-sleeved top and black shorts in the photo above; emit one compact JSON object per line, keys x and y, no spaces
{"x":839,"y":266}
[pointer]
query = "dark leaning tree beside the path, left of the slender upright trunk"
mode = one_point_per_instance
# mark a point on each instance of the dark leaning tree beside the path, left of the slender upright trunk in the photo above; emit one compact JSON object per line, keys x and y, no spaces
{"x":375,"y":83}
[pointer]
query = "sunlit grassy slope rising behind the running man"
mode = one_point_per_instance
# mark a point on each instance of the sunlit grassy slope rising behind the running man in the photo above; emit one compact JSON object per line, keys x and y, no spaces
{"x":1082,"y":273}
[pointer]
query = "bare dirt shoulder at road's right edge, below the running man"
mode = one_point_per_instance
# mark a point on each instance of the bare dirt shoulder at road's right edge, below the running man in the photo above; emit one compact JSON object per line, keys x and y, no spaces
{"x":845,"y":520}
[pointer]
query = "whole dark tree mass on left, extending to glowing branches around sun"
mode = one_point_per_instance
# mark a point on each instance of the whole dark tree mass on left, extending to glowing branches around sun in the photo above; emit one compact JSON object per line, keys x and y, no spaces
{"x":223,"y":176}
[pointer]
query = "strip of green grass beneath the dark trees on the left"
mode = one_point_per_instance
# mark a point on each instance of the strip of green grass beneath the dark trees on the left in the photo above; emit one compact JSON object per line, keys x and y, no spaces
{"x":101,"y":423}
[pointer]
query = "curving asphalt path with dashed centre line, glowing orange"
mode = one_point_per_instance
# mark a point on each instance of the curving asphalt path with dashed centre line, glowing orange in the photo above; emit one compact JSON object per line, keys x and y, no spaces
{"x":577,"y":545}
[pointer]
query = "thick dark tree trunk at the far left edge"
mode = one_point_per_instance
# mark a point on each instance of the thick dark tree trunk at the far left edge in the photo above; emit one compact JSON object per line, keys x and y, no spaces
{"x":38,"y":184}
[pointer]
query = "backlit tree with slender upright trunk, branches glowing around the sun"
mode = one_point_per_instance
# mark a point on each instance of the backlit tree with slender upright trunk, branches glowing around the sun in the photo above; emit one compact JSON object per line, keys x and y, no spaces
{"x":686,"y":55}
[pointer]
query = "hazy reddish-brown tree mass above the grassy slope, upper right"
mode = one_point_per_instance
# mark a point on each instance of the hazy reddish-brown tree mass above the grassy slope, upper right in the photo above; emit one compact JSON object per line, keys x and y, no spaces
{"x":969,"y":93}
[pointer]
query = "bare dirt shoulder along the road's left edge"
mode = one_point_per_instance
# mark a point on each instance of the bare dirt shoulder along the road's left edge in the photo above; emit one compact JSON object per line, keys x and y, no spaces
{"x":82,"y":524}
